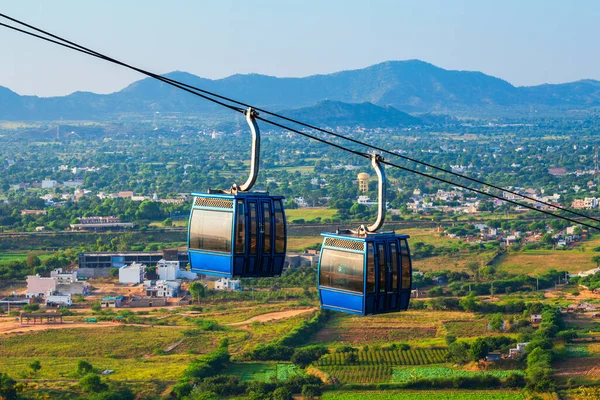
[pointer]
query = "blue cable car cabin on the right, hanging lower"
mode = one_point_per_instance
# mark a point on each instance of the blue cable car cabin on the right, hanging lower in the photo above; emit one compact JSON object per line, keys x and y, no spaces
{"x":366,"y":274}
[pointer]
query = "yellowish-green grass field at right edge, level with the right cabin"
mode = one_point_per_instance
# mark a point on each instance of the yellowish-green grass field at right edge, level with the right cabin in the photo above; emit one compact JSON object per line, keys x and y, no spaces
{"x":536,"y":262}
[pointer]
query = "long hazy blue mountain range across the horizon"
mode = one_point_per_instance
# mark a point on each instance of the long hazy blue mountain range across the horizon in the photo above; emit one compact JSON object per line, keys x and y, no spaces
{"x":382,"y":94}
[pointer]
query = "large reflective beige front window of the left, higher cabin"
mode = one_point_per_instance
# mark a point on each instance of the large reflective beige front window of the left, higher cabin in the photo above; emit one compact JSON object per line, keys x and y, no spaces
{"x":211,"y":230}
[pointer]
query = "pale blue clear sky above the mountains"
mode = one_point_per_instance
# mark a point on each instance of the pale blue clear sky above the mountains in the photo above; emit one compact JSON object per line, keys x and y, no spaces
{"x":524,"y":42}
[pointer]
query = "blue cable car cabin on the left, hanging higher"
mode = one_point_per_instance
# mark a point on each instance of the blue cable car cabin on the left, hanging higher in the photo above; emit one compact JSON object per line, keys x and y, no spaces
{"x":242,"y":235}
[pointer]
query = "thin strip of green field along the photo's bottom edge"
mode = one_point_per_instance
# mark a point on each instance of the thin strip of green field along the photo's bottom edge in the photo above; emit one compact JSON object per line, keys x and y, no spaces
{"x":426,"y":395}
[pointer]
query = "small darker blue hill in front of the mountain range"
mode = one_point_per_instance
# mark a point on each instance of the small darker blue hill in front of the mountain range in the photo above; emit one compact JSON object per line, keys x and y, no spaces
{"x":368,"y":115}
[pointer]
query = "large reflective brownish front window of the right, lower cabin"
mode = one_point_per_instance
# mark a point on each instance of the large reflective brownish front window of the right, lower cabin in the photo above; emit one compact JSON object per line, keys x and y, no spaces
{"x":342,"y":270}
